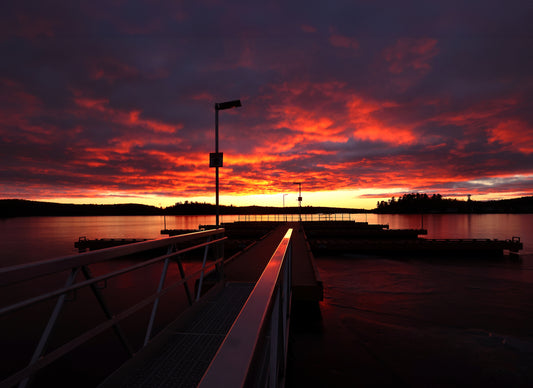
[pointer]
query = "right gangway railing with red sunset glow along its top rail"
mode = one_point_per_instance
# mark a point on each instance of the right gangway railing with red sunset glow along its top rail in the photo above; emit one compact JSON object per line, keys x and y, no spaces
{"x":255,"y":350}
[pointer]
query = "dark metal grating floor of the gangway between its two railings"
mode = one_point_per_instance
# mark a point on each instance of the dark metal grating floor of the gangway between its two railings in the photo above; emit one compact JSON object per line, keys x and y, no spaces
{"x":180,"y":357}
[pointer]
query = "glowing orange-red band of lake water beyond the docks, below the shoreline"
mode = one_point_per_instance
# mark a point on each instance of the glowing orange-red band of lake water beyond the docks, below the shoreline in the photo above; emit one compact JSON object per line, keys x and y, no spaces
{"x":38,"y":238}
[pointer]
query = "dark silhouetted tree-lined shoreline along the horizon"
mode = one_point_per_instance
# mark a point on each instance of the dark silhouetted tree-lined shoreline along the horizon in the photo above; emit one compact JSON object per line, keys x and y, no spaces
{"x":10,"y":208}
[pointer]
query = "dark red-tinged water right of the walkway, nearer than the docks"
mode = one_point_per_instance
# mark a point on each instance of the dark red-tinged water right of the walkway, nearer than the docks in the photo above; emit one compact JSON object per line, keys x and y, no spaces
{"x":416,"y":323}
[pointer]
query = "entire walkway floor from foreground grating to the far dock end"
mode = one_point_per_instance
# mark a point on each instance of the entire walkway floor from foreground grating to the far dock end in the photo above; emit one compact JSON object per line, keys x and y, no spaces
{"x":181,"y":354}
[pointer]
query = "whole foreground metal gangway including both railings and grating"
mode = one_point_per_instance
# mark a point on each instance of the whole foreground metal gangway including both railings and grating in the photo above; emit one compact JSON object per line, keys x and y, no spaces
{"x":256,"y":341}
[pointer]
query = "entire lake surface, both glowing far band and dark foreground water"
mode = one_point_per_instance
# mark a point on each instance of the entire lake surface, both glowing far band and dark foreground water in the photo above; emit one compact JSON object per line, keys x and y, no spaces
{"x":384,"y":321}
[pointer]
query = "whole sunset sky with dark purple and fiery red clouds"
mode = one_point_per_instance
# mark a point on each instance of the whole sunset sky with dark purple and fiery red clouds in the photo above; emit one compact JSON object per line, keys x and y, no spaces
{"x":113,"y":101}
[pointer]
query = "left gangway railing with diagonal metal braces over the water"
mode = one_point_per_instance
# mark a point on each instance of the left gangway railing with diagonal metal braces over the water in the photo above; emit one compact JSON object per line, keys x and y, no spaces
{"x":79,"y":264}
